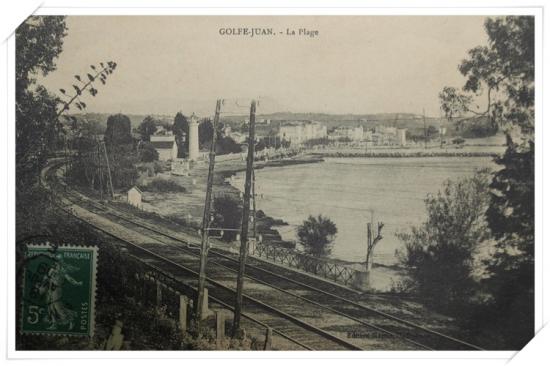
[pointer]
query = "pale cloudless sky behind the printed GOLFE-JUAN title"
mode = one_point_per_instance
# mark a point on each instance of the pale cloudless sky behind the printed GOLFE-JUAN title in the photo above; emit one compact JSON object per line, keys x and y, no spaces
{"x":356,"y":64}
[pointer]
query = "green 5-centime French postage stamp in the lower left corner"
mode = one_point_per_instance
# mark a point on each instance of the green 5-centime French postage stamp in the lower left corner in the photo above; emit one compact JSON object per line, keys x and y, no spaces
{"x":59,"y":290}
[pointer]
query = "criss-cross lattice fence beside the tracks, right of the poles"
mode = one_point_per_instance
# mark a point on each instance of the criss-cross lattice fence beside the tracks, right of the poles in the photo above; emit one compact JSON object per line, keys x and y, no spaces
{"x":318,"y":266}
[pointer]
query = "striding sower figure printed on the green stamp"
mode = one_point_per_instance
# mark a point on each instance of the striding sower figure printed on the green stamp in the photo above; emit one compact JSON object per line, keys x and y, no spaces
{"x":52,"y":287}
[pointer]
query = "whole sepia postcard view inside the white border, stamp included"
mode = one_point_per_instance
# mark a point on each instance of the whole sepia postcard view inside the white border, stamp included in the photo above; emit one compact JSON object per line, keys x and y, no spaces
{"x":274,"y":183}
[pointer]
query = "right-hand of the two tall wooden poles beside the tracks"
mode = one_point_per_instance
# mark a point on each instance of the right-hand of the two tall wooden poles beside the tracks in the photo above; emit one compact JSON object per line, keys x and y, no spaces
{"x":246,"y":217}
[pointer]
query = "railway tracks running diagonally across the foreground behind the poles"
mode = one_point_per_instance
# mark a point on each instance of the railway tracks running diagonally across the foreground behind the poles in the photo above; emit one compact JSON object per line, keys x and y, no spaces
{"x":302,"y":299}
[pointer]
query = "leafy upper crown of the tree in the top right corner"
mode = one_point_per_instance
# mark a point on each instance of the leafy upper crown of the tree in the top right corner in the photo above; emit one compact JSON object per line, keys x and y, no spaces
{"x":504,"y":70}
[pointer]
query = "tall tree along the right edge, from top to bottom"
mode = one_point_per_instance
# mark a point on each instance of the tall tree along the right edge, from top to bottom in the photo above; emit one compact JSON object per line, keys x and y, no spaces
{"x":505,"y":69}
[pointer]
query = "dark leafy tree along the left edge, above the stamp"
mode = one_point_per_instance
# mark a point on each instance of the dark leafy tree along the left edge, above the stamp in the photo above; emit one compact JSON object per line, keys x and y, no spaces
{"x":39,"y":41}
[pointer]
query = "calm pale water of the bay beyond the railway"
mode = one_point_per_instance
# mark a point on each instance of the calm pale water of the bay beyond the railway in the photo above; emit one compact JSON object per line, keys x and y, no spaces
{"x":355,"y":191}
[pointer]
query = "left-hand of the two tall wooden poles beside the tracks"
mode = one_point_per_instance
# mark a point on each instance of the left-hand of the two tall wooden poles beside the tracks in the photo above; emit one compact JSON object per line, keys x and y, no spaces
{"x":206,"y":220}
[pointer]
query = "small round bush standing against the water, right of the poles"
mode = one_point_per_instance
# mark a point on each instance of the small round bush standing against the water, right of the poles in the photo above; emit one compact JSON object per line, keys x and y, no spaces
{"x":317,"y":234}
